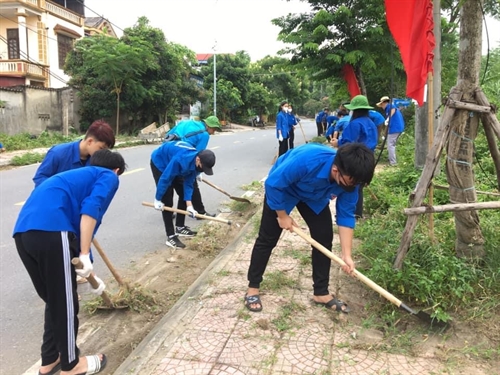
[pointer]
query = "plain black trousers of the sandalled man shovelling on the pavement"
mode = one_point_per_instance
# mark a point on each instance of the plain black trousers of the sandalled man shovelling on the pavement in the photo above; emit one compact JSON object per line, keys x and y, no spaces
{"x":321,"y":228}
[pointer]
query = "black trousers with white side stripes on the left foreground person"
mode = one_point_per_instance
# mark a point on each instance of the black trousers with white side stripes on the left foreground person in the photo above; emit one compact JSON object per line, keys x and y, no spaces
{"x":47,"y":258}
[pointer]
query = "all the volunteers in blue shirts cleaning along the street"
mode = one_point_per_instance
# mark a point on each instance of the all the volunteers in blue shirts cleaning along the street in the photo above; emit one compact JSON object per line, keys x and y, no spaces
{"x":76,"y":182}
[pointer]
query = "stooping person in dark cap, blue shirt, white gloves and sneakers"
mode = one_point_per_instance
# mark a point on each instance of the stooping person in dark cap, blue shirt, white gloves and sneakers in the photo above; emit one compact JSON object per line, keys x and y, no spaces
{"x":175,"y":166}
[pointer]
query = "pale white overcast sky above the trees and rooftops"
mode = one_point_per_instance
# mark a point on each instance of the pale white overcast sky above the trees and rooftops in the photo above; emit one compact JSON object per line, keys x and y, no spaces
{"x":229,"y":25}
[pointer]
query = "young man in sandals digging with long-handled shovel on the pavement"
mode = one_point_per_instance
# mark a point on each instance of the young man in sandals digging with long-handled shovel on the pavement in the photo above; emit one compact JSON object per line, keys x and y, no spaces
{"x":307,"y":178}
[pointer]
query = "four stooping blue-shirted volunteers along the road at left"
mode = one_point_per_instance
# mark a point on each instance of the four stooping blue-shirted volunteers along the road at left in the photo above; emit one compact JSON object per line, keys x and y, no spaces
{"x":73,"y":188}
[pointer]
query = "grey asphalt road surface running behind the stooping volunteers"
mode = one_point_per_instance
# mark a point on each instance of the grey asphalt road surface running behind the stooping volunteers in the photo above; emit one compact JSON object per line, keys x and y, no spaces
{"x":128,"y":231}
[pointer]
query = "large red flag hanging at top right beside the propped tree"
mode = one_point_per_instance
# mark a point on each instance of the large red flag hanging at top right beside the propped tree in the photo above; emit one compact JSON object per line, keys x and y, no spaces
{"x":412,"y":27}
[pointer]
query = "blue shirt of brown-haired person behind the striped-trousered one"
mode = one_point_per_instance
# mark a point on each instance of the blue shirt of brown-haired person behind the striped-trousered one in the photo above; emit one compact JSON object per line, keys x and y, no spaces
{"x":60,"y":158}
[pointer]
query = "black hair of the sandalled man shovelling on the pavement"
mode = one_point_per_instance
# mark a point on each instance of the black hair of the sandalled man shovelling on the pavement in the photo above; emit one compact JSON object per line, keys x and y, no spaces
{"x":357,"y":161}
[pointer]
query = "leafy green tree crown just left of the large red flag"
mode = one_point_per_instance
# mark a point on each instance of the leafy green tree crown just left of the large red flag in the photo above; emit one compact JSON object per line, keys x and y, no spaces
{"x":336,"y":33}
